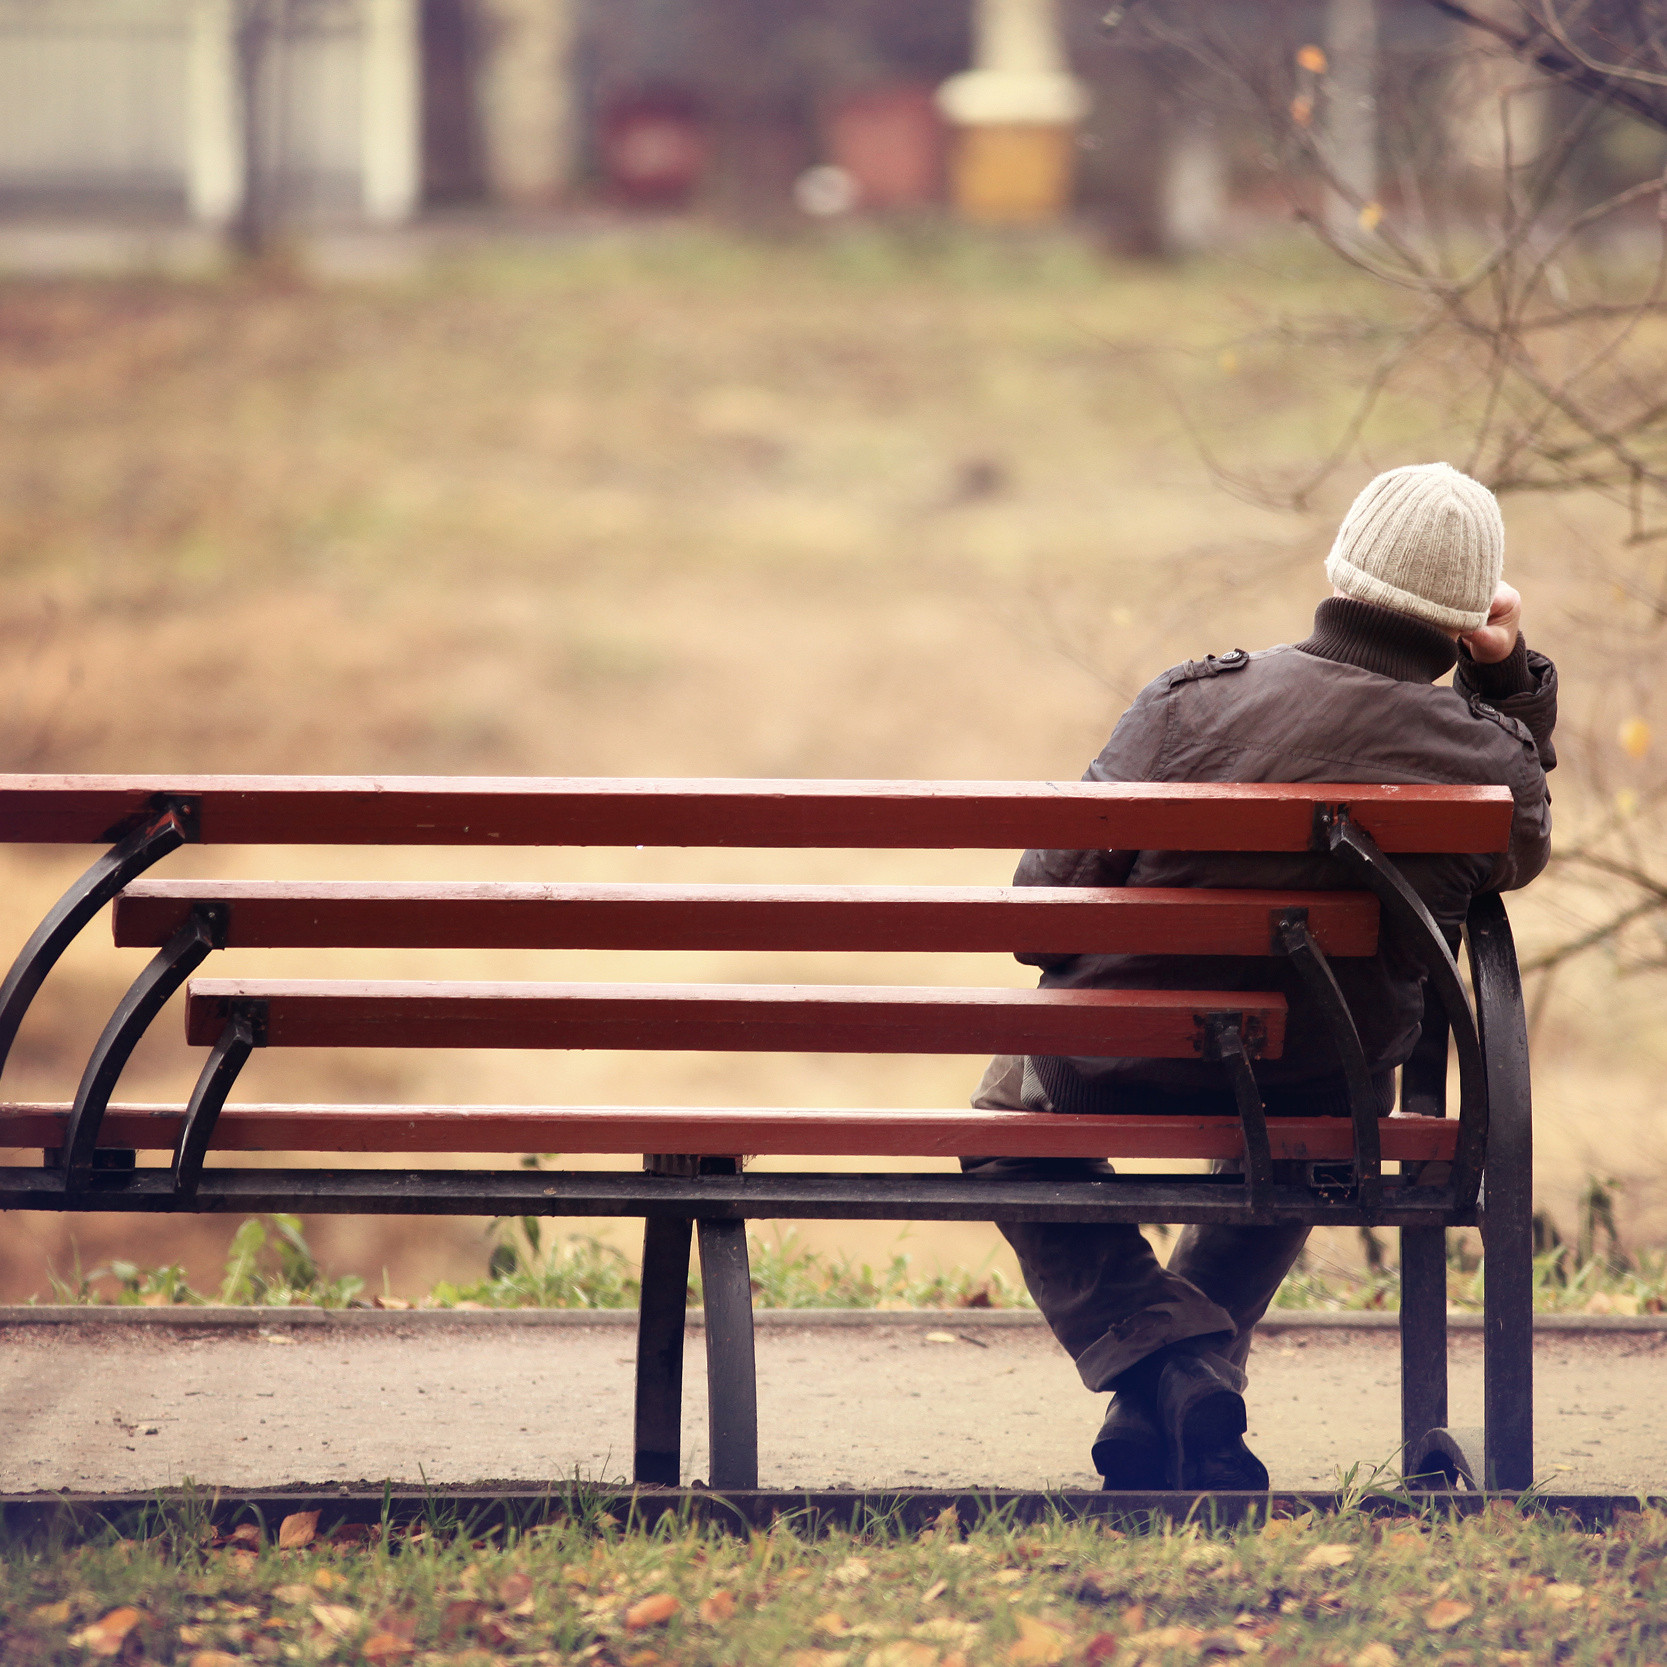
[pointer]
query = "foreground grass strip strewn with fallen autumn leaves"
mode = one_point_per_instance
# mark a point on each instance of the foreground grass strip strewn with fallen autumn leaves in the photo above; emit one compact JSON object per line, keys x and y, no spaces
{"x":1351,"y":1589}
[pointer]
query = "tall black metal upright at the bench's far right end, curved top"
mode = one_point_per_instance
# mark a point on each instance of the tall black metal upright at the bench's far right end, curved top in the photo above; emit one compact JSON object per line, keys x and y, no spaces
{"x":1508,"y":1201}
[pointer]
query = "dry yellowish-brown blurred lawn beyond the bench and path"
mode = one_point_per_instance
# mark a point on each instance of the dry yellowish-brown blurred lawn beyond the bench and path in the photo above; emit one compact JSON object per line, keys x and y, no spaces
{"x":668,"y":504}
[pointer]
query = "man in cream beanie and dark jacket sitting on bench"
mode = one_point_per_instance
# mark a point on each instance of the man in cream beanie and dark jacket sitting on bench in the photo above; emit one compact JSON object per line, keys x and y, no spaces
{"x":1416,"y":573}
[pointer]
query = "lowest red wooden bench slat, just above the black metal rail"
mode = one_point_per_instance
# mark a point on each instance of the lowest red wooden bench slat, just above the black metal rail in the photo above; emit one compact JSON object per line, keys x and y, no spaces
{"x":729,"y":1131}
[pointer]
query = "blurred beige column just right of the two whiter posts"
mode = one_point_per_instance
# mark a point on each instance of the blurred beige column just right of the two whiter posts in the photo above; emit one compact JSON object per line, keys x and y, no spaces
{"x":528,"y":99}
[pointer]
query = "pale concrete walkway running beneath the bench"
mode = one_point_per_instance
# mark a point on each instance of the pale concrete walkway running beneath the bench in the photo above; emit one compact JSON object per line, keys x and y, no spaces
{"x":864,"y":1401}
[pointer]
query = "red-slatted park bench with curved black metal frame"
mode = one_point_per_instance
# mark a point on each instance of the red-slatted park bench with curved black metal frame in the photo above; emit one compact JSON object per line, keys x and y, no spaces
{"x":1459,"y":1171}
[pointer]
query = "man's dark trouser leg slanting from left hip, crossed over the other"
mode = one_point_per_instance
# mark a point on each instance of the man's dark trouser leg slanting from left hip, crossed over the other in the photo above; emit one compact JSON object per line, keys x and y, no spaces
{"x":1103,"y":1291}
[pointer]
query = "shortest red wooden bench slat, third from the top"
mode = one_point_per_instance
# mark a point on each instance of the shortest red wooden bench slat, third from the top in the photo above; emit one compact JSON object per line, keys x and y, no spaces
{"x":731,"y":1018}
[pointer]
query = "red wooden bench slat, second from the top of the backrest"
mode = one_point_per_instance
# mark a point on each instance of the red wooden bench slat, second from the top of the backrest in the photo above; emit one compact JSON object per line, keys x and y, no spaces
{"x":731,"y":918}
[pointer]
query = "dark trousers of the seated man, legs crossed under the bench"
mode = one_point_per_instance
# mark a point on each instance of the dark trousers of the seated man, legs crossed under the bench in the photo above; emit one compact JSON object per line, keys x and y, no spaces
{"x":1103,"y":1291}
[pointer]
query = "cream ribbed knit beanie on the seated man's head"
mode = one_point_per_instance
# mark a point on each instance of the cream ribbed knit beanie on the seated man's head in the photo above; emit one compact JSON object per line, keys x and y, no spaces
{"x":1424,"y":541}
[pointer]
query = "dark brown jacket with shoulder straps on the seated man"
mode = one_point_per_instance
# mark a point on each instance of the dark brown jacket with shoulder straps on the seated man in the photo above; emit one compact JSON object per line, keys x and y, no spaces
{"x":1354,"y":703}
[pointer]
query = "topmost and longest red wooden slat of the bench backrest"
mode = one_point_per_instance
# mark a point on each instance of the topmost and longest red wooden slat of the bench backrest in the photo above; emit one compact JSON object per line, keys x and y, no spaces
{"x":991,"y":816}
